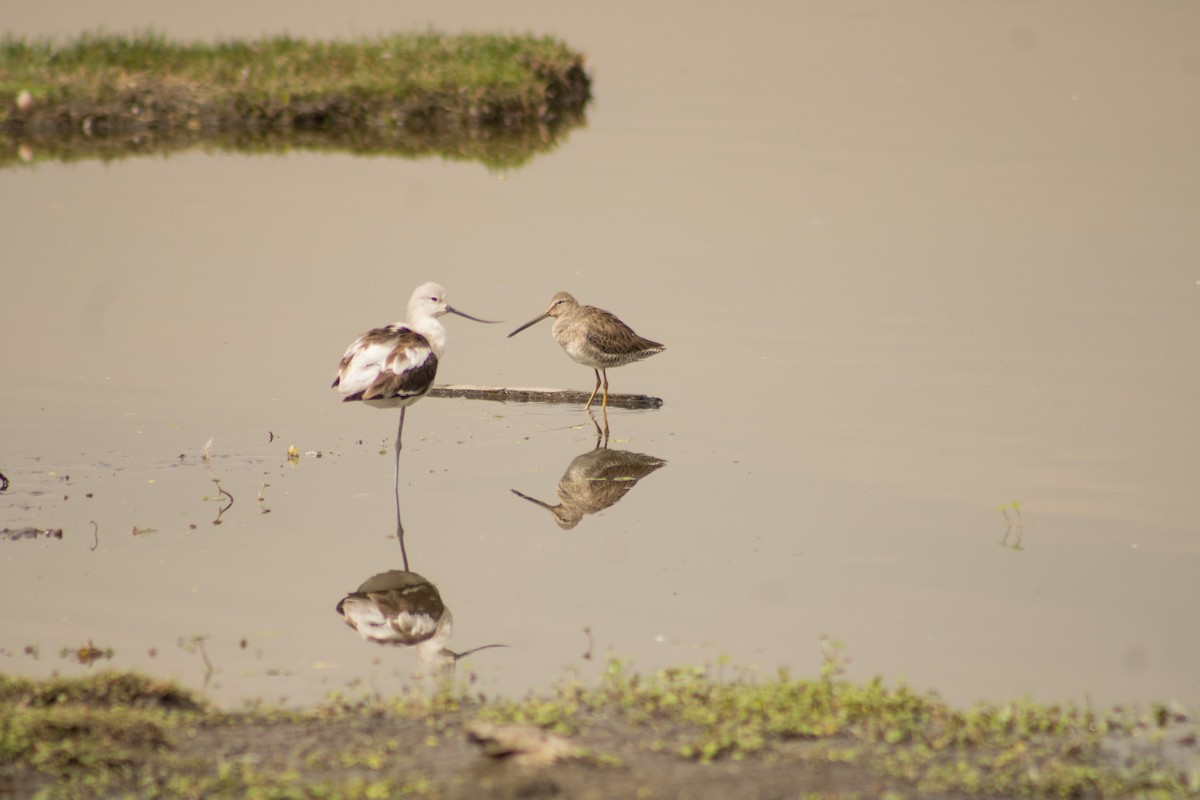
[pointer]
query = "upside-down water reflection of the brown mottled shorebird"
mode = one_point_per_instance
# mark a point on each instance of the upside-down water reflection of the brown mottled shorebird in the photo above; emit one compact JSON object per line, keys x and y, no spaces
{"x":595,"y":482}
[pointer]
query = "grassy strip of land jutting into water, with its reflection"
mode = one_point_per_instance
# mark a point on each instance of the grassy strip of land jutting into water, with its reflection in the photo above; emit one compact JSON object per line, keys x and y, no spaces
{"x":406,"y":94}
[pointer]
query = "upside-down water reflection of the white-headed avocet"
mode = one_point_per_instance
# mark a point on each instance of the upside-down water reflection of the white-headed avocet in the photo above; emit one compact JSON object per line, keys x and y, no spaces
{"x":403,"y":609}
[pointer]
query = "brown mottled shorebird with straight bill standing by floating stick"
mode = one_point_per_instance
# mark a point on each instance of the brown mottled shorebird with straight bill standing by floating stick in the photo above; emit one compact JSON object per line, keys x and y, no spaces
{"x":596,"y":339}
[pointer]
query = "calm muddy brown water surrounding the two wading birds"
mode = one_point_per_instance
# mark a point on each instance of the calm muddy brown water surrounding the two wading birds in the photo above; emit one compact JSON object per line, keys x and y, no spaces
{"x":910,"y":262}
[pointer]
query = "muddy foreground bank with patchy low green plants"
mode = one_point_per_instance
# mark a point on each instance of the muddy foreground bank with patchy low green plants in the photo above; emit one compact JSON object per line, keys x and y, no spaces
{"x":676,"y":735}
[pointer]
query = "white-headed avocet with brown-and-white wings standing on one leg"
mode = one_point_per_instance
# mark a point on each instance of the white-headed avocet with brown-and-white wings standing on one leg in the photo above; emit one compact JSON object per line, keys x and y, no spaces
{"x":395,"y":366}
